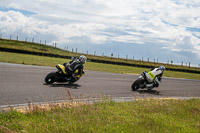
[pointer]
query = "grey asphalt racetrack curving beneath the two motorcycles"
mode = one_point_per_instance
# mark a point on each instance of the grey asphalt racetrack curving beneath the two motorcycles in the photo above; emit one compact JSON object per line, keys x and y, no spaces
{"x":21,"y":84}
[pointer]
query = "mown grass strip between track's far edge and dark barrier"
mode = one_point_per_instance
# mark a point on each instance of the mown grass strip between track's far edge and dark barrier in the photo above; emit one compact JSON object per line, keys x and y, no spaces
{"x":49,"y":61}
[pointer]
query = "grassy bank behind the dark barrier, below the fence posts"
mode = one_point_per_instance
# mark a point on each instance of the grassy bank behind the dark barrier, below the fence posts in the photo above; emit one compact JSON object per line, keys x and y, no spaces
{"x":35,"y":47}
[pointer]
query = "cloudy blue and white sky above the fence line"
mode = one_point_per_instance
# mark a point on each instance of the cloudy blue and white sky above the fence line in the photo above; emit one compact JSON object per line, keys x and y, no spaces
{"x":161,"y":30}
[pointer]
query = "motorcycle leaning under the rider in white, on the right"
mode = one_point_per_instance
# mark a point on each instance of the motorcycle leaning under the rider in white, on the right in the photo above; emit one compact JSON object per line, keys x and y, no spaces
{"x":142,"y":83}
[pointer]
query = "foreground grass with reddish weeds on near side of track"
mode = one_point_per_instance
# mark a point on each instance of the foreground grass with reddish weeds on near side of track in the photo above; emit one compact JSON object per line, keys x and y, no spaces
{"x":142,"y":116}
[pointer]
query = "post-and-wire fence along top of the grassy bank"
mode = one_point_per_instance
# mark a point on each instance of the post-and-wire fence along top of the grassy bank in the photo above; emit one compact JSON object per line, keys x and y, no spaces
{"x":75,"y":50}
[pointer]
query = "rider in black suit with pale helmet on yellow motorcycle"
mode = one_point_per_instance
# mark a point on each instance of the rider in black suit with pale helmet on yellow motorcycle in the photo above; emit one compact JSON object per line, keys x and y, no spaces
{"x":76,"y":63}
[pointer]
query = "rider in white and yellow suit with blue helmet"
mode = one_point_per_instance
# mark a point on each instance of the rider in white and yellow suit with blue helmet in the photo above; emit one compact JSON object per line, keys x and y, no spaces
{"x":154,"y":76}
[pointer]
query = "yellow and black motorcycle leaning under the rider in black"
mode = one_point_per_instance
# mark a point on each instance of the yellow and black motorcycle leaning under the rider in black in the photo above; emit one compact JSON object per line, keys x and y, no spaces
{"x":62,"y":76}
